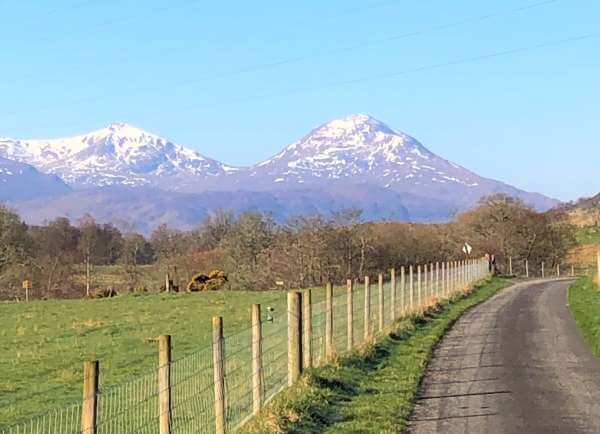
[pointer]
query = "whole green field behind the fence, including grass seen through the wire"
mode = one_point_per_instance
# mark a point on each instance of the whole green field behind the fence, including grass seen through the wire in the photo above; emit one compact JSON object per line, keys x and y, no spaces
{"x":44,"y":345}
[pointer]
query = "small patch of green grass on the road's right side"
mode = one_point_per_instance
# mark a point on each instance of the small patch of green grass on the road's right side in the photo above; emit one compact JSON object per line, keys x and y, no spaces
{"x":584,"y":302}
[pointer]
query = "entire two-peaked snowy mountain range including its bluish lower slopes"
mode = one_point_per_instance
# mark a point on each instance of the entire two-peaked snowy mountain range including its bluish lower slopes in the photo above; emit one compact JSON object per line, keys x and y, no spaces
{"x":357,"y":161}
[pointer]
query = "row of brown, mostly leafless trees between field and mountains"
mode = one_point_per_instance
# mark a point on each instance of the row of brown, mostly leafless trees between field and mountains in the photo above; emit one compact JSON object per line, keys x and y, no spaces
{"x":257,"y":253}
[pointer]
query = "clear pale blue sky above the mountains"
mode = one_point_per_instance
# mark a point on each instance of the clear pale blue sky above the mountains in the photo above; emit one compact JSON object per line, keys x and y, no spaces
{"x":238,"y":80}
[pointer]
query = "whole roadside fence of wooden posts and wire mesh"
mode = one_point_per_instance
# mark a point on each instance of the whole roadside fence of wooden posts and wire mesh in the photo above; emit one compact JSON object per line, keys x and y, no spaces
{"x":216,"y":389}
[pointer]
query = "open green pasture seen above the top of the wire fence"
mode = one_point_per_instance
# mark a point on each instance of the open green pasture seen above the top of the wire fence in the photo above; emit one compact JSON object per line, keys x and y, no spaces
{"x":43,"y":343}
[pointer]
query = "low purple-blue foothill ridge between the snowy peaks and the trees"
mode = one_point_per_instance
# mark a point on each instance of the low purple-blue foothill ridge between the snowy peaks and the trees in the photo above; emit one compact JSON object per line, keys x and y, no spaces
{"x":147,"y":207}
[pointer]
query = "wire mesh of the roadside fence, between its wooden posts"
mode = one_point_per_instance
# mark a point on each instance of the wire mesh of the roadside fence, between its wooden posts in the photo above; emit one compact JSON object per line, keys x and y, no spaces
{"x":134,"y":406}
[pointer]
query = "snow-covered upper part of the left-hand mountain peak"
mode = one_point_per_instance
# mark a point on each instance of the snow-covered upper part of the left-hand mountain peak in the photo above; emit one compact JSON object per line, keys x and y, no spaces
{"x":119,"y":154}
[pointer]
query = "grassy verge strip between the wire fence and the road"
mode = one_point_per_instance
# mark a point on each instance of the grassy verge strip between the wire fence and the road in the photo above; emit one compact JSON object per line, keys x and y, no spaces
{"x":370,"y":391}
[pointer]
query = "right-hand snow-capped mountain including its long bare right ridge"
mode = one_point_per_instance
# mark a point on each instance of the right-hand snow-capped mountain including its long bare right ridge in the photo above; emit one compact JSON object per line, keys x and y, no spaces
{"x":360,"y":150}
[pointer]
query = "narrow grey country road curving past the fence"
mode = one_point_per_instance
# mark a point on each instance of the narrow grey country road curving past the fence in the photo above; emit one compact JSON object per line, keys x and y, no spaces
{"x":514,"y":364}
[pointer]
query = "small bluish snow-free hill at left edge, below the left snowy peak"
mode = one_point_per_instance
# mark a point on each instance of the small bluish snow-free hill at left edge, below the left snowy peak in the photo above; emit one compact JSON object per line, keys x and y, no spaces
{"x":19,"y":181}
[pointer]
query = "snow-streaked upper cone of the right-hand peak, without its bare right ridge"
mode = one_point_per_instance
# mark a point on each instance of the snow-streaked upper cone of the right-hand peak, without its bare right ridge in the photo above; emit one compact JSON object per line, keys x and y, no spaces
{"x":359,"y":147}
